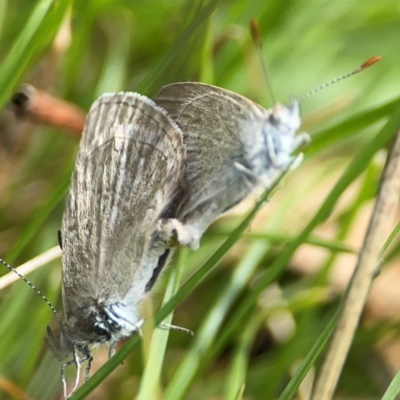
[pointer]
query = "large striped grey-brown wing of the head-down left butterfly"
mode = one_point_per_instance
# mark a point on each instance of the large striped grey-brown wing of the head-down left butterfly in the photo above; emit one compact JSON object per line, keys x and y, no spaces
{"x":127,"y":173}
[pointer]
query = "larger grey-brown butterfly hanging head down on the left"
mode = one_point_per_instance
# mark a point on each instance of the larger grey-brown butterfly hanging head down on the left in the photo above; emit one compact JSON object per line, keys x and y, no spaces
{"x":116,"y":227}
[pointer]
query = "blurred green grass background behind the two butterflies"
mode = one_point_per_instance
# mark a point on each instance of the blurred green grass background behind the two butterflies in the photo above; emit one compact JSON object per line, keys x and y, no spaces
{"x":261,"y":309}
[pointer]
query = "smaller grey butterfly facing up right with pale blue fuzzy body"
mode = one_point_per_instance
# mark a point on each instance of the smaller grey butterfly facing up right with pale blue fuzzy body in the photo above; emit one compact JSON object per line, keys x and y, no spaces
{"x":233,"y":145}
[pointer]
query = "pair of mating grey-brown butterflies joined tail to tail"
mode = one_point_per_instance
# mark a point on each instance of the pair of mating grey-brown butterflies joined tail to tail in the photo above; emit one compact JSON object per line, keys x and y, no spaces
{"x":150,"y":177}
